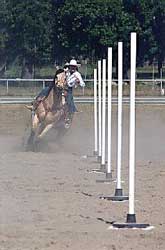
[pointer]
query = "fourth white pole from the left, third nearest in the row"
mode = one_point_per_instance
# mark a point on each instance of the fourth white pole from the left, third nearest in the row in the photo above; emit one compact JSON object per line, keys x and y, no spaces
{"x":109,"y":108}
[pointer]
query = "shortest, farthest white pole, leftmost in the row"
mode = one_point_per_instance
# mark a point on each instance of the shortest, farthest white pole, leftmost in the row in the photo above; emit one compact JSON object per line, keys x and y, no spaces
{"x":95,"y":112}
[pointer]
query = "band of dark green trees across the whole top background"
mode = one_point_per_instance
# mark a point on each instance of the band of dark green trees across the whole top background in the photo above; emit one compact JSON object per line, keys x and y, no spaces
{"x":39,"y":32}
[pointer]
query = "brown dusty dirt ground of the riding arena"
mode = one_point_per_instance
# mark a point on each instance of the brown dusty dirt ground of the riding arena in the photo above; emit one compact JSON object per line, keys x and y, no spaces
{"x":50,"y":199}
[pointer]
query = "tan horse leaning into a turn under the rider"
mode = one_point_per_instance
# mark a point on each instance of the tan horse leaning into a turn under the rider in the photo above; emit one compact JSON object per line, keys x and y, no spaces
{"x":49,"y":111}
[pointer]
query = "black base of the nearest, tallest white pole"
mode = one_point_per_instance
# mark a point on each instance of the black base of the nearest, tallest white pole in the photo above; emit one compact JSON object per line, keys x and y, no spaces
{"x":131,"y":223}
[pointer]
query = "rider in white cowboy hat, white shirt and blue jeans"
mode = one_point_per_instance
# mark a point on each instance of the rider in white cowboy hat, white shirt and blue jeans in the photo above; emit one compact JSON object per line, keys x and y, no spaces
{"x":73,"y":79}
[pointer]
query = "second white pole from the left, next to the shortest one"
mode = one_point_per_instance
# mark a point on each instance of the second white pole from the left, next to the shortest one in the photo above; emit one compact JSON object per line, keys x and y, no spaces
{"x":100,"y":115}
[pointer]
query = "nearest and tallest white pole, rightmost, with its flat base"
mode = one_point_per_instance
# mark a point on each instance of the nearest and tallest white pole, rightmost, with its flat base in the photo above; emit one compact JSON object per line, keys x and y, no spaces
{"x":131,"y":217}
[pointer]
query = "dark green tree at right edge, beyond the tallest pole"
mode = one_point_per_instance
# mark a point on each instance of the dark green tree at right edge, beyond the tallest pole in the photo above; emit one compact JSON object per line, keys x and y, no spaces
{"x":151,"y":18}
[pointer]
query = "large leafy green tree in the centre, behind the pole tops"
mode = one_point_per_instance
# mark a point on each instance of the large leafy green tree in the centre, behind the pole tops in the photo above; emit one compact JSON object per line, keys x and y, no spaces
{"x":88,"y":27}
